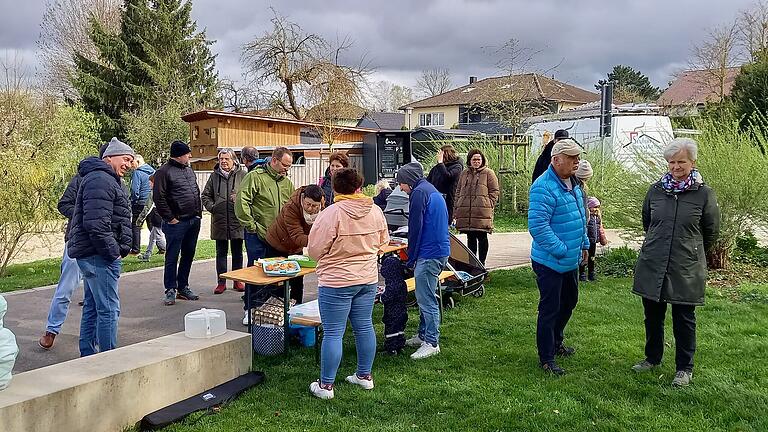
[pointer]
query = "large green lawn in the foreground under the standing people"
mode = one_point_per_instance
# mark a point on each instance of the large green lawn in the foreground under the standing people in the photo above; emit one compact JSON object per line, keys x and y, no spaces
{"x":487,"y":376}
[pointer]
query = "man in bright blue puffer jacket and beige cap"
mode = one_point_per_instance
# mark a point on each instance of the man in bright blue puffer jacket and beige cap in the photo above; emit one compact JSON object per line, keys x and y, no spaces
{"x":557,"y":223}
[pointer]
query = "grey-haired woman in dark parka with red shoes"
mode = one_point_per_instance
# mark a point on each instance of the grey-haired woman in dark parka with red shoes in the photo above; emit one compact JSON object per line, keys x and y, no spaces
{"x":218,"y":198}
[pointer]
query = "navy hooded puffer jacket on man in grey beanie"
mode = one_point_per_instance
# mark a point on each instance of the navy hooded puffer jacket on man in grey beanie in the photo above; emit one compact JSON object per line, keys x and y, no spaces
{"x":101,"y":223}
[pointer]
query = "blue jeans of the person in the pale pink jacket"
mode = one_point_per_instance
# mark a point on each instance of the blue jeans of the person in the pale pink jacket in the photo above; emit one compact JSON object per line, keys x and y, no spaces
{"x":336,"y":306}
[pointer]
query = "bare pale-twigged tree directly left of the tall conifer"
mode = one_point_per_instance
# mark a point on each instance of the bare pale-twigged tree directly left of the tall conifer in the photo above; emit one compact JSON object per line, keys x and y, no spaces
{"x":64,"y":32}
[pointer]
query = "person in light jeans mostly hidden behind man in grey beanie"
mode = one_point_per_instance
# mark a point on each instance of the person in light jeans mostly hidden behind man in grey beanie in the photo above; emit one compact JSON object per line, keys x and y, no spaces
{"x":70,"y":272}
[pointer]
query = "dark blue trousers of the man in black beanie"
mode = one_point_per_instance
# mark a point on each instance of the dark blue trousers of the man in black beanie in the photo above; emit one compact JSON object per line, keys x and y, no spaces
{"x":181,"y":240}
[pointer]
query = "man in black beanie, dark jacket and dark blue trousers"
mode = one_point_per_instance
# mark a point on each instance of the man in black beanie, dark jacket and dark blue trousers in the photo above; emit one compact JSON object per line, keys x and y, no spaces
{"x":177,"y":200}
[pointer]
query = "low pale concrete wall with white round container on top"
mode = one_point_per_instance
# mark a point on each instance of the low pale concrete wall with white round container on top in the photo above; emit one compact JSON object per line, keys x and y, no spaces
{"x":114,"y":390}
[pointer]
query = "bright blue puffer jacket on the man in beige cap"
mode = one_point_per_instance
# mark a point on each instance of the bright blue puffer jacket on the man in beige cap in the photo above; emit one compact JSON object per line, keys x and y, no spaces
{"x":557,"y":222}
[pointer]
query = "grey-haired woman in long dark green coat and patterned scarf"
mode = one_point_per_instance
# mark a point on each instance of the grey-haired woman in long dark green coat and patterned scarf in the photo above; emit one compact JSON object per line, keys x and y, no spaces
{"x":681,"y":220}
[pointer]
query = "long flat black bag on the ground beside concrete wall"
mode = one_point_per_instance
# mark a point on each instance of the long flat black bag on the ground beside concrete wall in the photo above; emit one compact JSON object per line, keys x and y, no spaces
{"x":208,"y":399}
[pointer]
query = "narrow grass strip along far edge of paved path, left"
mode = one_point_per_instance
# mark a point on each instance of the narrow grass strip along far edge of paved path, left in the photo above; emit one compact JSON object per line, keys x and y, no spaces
{"x":46,"y":272}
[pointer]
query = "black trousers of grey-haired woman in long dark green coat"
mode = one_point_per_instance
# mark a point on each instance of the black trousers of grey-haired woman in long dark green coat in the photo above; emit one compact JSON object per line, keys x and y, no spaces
{"x":683,"y":326}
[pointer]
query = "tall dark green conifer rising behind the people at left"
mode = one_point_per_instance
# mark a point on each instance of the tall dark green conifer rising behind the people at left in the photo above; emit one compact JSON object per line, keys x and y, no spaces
{"x":157,"y":56}
